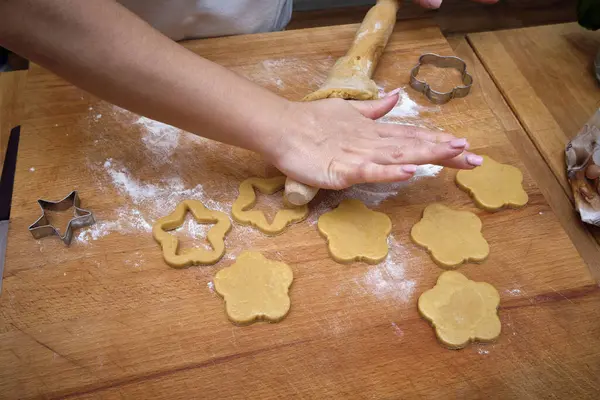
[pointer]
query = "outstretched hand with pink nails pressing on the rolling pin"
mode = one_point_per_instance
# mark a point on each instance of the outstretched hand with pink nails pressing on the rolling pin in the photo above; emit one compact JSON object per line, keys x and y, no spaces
{"x":333,"y":144}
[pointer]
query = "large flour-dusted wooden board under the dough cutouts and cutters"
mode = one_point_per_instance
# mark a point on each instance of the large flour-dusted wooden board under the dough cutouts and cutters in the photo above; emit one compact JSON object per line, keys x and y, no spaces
{"x":106,"y":318}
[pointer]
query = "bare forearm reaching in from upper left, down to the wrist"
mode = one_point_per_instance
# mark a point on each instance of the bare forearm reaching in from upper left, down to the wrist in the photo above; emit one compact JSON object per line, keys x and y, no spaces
{"x":103,"y":48}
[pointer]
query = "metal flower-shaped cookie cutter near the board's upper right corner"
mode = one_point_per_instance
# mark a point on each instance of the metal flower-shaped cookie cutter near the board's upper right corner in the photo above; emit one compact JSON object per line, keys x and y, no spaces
{"x":441,"y":62}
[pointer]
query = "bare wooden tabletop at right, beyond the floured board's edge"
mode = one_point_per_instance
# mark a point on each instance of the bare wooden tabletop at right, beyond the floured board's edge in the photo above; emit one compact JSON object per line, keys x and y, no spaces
{"x":546,"y":74}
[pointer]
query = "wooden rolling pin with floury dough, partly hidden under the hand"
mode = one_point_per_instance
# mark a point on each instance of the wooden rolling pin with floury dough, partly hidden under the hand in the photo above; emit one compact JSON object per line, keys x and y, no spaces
{"x":350,"y":77}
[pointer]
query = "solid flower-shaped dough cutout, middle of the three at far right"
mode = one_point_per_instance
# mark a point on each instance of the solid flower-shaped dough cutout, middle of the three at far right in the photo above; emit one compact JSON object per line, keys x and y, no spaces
{"x":452,"y":237}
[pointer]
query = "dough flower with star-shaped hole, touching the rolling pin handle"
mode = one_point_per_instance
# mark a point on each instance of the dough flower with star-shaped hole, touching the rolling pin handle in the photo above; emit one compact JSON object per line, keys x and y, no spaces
{"x":247,"y":199}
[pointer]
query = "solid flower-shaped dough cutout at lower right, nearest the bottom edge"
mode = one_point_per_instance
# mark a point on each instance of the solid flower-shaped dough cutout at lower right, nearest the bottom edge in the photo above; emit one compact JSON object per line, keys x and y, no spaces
{"x":461,"y":310}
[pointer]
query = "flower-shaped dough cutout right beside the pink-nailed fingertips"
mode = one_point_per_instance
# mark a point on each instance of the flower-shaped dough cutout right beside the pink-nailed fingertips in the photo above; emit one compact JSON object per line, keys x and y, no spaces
{"x":493,"y":185}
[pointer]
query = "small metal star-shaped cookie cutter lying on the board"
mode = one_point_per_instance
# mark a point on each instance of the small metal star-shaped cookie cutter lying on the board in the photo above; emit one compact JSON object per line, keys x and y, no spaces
{"x":42,"y":227}
